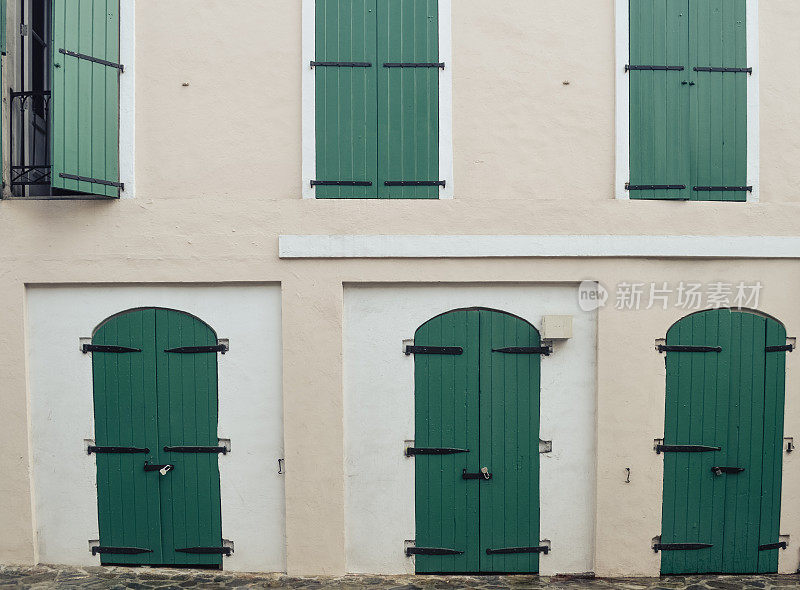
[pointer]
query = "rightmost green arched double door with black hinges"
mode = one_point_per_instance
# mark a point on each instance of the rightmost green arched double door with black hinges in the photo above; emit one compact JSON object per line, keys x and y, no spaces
{"x":723,"y":439}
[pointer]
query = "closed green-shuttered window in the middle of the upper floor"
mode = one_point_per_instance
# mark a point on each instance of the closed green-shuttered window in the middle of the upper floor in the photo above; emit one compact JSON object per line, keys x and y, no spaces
{"x":378,"y":72}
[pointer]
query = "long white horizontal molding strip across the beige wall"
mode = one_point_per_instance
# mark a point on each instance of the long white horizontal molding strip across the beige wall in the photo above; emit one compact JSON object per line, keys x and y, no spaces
{"x":519,"y":246}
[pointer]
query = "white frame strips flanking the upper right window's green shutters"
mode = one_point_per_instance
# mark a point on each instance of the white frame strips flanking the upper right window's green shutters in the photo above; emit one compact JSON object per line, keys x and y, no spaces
{"x":622,"y":174}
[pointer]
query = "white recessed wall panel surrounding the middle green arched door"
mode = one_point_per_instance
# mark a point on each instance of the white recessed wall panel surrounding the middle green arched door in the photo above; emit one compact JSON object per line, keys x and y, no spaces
{"x":379,"y":417}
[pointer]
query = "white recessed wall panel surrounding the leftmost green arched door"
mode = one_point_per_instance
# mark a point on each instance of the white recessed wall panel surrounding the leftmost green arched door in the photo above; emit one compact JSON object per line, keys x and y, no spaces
{"x":250,"y":414}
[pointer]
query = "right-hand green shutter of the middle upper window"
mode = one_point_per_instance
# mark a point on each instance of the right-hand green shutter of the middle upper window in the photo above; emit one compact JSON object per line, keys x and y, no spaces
{"x":408,"y":98}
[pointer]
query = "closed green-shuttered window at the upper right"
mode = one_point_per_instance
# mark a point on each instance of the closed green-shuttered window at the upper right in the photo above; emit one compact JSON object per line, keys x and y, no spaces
{"x":690,"y":92}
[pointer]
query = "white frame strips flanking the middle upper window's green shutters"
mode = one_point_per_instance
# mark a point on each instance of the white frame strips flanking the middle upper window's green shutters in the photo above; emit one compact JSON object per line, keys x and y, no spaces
{"x":309,"y":127}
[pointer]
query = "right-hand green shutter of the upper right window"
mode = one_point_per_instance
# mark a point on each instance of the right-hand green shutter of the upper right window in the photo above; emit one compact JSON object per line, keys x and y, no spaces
{"x":718,"y":39}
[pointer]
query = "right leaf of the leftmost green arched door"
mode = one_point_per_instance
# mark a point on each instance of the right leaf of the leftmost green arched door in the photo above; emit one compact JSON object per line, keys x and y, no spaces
{"x":187,"y":394}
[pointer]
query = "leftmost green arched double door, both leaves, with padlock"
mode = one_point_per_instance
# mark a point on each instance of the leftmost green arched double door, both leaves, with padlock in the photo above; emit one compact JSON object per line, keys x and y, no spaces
{"x":156,"y":446}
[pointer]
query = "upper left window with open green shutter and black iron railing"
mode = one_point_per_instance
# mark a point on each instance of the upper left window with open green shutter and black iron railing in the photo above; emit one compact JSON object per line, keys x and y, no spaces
{"x":64,"y":101}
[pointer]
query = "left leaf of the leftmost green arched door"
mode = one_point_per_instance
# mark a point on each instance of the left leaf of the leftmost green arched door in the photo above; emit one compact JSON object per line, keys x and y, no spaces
{"x":125,"y":415}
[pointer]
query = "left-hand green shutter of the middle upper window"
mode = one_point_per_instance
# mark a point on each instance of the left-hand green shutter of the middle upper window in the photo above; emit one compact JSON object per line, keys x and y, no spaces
{"x":346,"y":98}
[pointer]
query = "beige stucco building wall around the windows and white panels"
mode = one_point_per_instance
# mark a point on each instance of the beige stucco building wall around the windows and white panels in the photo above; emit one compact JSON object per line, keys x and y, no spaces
{"x":218,"y":179}
